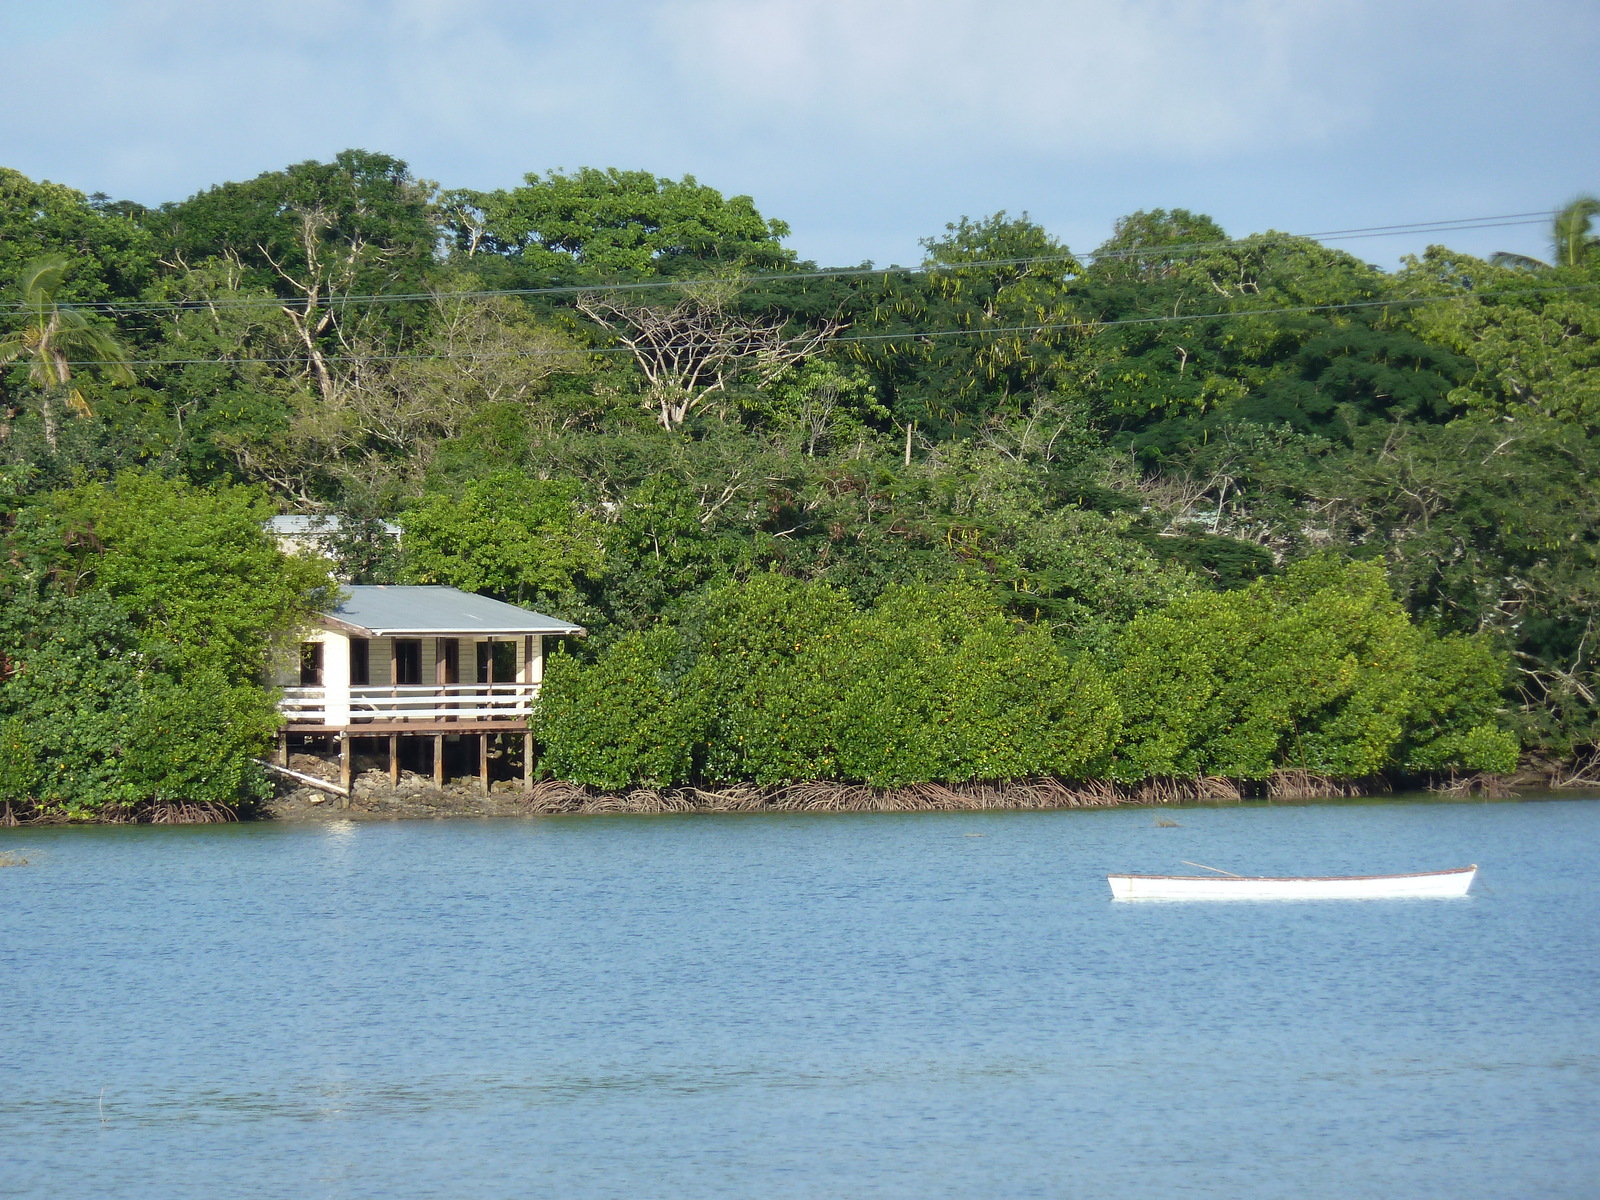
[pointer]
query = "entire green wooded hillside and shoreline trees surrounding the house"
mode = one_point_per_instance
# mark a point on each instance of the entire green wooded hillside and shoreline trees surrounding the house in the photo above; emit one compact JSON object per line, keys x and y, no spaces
{"x":1183,"y":505}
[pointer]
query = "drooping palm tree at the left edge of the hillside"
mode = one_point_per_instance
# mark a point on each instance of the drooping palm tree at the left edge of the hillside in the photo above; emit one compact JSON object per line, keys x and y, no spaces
{"x":54,"y":337}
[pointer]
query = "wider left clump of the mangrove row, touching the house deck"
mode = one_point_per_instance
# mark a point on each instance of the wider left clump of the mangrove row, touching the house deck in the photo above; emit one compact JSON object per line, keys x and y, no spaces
{"x":775,"y":681}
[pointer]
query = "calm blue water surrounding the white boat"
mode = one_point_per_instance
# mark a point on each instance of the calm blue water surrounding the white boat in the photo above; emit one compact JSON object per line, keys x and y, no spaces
{"x":911,"y":1006}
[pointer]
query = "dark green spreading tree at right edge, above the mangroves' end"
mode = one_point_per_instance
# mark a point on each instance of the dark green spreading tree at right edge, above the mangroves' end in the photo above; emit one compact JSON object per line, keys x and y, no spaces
{"x":1482,"y":527}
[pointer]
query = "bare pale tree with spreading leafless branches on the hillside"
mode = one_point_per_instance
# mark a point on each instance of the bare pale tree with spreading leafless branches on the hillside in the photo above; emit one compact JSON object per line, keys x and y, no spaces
{"x":694,"y":351}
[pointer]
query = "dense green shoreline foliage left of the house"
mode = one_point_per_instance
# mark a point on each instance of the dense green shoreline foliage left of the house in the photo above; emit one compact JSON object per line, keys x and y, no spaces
{"x":138,"y":622}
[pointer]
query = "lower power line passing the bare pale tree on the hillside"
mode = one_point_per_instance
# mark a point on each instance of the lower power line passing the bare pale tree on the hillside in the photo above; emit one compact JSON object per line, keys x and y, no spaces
{"x":908,"y":337}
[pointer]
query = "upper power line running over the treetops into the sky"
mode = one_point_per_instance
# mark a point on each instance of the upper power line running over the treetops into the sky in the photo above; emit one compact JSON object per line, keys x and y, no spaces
{"x":1177,"y":250}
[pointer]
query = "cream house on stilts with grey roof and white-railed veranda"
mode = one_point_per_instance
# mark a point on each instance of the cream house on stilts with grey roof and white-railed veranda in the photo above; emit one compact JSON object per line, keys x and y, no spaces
{"x":433,"y":676}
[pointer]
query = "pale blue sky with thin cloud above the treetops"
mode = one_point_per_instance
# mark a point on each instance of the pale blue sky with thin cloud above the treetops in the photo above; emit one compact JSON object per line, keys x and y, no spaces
{"x":865,"y":124}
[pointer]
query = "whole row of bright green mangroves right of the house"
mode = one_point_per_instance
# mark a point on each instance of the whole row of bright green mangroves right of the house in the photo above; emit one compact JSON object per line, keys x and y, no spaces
{"x":775,"y":681}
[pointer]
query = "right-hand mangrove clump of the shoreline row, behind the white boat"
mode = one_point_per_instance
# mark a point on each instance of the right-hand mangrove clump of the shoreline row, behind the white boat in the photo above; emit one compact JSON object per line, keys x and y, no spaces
{"x":1318,"y":670}
